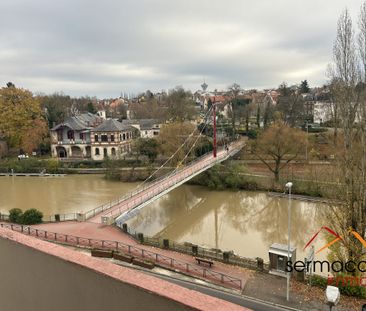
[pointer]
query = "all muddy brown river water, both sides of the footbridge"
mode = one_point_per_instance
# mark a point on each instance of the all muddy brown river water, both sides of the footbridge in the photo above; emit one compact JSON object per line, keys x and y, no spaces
{"x":245,"y":222}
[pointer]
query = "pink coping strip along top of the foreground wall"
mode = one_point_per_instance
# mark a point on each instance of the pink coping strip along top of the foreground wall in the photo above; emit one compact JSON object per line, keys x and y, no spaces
{"x":148,"y":283}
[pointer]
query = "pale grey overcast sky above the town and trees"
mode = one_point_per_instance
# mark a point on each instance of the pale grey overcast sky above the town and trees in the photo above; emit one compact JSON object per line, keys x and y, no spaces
{"x":103,"y":48}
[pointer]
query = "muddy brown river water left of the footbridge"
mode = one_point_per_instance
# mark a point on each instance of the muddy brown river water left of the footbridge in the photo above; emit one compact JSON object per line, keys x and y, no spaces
{"x":67,"y":194}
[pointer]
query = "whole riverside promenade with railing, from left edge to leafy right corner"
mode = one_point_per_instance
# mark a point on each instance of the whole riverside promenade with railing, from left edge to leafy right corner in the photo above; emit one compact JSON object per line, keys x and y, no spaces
{"x":261,"y":288}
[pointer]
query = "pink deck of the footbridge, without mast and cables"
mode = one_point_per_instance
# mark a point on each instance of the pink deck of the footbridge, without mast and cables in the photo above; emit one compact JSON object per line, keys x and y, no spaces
{"x":129,"y":206}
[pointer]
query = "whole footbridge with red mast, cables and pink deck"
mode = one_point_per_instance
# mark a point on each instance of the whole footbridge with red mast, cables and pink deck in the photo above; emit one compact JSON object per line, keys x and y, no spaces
{"x":128,"y":206}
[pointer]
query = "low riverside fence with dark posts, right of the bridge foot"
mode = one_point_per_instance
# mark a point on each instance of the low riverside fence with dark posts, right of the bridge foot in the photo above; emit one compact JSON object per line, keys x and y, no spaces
{"x":195,"y":250}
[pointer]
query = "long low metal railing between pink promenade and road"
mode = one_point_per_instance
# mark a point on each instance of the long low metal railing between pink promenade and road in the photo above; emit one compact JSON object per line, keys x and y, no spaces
{"x":159,"y":259}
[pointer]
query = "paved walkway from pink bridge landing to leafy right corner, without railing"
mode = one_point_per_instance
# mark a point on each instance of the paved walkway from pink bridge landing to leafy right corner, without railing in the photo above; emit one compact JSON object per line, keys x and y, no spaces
{"x":262,"y":286}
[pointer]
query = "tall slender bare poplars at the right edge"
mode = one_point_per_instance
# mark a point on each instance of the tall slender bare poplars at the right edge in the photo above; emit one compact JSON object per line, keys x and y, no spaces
{"x":347,"y":93}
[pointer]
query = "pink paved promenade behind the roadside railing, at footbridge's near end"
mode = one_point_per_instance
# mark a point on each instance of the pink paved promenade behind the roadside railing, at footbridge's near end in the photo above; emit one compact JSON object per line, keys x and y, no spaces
{"x":103,"y":232}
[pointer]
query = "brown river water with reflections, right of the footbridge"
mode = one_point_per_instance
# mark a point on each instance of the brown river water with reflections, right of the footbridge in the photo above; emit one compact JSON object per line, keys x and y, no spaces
{"x":246,"y":222}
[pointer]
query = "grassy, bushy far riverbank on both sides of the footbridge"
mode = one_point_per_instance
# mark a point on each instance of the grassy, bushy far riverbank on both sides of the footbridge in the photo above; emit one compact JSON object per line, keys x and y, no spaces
{"x":233,"y":174}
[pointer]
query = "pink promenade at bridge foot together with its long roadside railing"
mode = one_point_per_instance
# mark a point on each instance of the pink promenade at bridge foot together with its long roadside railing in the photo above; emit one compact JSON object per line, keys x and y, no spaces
{"x":94,"y":235}
